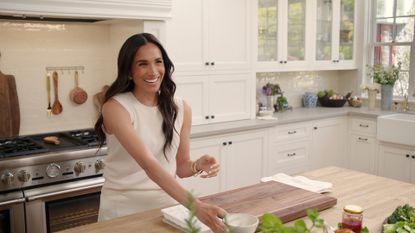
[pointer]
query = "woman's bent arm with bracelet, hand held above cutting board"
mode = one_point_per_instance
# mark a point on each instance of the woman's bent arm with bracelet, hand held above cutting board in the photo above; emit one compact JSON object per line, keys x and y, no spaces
{"x":207,"y":163}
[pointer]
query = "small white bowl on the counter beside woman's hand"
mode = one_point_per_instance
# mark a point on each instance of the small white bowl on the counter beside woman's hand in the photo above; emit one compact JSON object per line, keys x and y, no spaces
{"x":242,"y":223}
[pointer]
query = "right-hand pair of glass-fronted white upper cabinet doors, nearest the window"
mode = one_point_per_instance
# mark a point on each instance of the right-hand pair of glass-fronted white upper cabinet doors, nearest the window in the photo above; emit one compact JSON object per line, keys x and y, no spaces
{"x":334,"y":30}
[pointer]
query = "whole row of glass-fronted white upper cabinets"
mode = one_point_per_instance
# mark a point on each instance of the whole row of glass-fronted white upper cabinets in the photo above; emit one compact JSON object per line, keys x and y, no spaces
{"x":295,"y":35}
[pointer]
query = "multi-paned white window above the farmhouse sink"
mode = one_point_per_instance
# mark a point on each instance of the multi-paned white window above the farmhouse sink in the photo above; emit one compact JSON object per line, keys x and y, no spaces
{"x":393,"y":39}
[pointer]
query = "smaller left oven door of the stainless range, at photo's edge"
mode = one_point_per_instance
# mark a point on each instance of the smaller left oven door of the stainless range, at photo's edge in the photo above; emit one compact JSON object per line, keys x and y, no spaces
{"x":12,"y":212}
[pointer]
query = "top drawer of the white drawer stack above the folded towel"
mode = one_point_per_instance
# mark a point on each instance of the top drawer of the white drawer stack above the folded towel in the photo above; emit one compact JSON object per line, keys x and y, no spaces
{"x":290,"y":132}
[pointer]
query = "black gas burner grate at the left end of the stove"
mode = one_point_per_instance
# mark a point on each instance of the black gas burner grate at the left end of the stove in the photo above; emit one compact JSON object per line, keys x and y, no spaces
{"x":19,"y":146}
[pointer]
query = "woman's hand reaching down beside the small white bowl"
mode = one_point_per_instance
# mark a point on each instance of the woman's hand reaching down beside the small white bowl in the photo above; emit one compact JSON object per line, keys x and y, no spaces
{"x":210,"y":215}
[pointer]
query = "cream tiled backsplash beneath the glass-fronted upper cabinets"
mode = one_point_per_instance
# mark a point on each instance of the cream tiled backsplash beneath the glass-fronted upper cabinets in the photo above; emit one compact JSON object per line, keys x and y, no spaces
{"x":295,"y":84}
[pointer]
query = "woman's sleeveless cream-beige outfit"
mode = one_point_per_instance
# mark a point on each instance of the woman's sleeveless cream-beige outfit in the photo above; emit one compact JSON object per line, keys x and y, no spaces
{"x":127,"y":188}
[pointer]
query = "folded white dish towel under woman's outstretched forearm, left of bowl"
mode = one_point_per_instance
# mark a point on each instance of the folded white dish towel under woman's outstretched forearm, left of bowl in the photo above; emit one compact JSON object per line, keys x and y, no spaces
{"x":176,"y":216}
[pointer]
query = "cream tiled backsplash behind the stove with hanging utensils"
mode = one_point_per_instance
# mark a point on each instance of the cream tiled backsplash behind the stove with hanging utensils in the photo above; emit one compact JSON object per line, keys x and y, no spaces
{"x":28,"y":48}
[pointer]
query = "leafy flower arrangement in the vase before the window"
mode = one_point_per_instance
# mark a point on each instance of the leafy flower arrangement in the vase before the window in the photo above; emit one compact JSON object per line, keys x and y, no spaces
{"x":384,"y":75}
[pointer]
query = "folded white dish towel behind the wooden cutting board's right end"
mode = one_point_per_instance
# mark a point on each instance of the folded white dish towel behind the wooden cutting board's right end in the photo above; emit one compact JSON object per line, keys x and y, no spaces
{"x":301,"y":182}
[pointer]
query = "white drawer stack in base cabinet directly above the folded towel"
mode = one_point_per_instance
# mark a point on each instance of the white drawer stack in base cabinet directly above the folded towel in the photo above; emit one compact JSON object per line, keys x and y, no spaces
{"x":289,"y":148}
